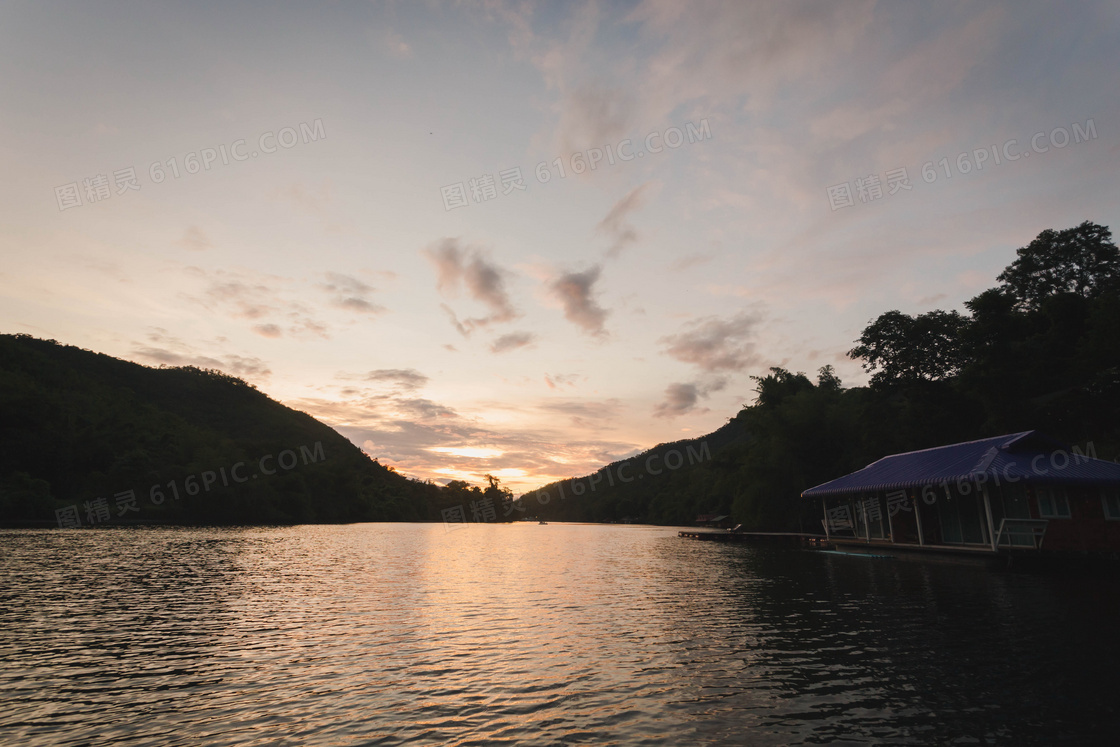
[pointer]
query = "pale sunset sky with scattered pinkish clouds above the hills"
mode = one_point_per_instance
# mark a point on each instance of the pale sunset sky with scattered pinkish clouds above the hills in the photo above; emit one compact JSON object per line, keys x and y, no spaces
{"x":529,"y":239}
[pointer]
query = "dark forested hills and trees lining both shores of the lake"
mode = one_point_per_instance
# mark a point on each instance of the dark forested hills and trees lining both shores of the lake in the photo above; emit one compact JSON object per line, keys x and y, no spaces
{"x":115,"y":442}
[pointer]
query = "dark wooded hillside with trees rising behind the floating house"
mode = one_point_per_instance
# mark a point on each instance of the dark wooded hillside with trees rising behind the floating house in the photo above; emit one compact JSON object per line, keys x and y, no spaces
{"x":1039,"y":351}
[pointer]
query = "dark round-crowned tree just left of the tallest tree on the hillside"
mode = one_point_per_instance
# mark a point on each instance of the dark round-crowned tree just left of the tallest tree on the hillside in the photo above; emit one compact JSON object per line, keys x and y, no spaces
{"x":904,"y":350}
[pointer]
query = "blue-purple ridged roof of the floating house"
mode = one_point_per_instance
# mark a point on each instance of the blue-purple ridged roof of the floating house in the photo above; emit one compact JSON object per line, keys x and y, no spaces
{"x":1028,"y":457}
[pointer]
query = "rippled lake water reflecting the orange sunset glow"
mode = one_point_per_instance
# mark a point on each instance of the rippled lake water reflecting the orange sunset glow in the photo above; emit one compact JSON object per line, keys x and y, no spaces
{"x":397,"y":633}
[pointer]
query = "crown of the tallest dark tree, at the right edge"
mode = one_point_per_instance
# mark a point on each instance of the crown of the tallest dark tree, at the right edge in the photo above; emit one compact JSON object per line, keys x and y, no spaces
{"x":1082,"y":260}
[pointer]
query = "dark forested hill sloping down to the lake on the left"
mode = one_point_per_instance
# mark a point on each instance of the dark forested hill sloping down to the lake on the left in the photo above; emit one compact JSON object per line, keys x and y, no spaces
{"x":82,"y":431}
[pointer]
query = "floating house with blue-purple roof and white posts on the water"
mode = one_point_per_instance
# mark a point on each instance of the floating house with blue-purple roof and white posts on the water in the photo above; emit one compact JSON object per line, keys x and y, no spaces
{"x":1022,"y":492}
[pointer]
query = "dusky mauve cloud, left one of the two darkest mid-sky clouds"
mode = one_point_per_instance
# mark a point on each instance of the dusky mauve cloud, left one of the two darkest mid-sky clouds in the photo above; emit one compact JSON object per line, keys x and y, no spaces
{"x":459,"y":268}
